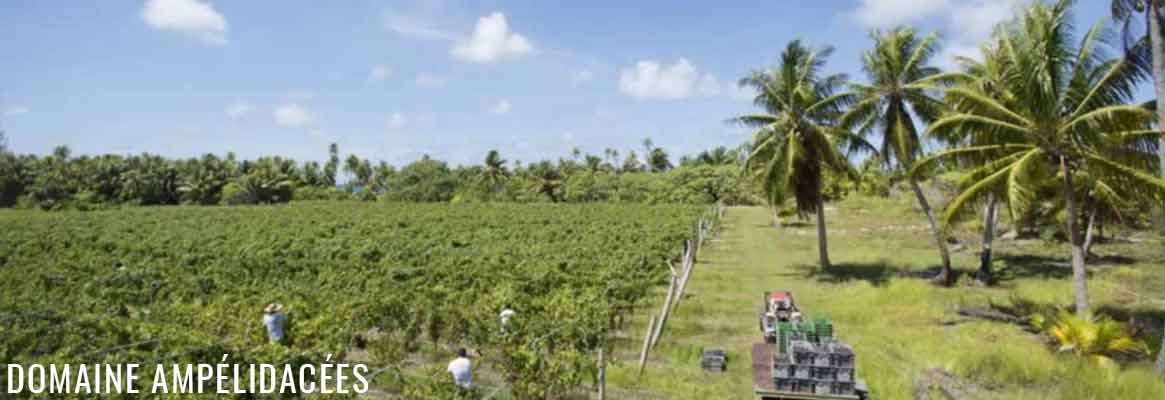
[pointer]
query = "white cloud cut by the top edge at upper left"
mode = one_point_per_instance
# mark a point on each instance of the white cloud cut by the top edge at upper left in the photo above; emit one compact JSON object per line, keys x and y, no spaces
{"x":194,"y":18}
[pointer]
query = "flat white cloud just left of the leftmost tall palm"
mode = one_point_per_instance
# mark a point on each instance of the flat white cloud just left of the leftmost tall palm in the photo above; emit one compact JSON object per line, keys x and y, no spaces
{"x":651,"y":81}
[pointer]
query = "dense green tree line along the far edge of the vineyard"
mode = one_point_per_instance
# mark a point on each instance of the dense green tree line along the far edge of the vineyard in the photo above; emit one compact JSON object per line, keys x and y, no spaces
{"x":61,"y":180}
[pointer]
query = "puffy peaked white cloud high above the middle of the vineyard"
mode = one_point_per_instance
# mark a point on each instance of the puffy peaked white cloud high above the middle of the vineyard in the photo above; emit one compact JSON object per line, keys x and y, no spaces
{"x":492,"y":41}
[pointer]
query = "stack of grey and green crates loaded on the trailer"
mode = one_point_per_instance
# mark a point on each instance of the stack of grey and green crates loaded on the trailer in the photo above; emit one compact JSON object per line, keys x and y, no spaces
{"x":809,"y":360}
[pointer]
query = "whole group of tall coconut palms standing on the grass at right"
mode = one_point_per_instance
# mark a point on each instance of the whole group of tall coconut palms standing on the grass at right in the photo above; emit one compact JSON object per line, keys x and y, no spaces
{"x":1043,"y":122}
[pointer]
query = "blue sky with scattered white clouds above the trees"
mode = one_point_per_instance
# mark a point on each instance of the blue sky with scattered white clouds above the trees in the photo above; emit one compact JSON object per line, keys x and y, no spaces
{"x":397,"y":80}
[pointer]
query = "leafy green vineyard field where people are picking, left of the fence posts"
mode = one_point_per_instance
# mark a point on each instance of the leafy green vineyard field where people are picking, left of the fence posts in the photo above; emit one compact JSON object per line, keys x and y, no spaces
{"x":188,"y":285}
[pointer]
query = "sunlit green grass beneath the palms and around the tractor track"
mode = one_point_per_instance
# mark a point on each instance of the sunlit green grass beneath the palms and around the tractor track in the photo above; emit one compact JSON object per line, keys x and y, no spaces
{"x":899,"y":325}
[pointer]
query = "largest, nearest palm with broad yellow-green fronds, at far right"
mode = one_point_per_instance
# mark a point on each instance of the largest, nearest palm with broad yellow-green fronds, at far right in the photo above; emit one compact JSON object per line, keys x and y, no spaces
{"x":1069,"y":103}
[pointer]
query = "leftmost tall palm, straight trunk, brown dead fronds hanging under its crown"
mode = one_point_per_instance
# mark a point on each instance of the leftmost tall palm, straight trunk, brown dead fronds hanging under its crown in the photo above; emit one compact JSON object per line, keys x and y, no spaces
{"x":796,"y":137}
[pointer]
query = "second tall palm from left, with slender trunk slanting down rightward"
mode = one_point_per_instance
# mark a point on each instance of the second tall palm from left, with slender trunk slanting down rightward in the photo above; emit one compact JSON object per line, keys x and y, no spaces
{"x":901,"y":90}
